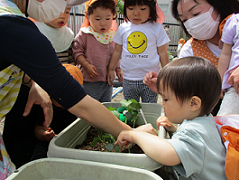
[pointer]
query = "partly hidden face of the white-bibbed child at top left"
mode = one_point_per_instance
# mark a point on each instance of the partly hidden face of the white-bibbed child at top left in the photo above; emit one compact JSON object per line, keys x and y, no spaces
{"x":60,"y":21}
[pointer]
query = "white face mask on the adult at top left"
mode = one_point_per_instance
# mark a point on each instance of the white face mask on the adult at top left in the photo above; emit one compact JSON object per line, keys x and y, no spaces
{"x":47,"y":10}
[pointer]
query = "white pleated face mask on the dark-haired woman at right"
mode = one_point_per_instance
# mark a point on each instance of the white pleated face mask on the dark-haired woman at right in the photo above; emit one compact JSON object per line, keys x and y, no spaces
{"x":203,"y":26}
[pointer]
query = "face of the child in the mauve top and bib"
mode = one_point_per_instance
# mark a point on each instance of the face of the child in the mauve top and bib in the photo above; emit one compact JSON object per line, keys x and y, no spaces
{"x":101,"y":20}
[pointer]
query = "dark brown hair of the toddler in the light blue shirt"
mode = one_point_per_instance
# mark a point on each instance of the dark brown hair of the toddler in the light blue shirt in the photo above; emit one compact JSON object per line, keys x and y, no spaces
{"x":192,"y":76}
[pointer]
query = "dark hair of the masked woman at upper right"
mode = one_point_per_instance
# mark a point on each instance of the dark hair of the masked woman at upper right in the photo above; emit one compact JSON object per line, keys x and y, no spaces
{"x":223,"y":7}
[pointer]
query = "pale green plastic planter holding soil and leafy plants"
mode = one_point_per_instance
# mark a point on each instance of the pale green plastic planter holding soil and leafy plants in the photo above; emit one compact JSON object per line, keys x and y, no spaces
{"x":63,"y":145}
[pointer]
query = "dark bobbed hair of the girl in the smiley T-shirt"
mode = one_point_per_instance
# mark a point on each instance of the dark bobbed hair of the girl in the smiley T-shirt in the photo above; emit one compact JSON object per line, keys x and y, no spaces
{"x":152,"y":6}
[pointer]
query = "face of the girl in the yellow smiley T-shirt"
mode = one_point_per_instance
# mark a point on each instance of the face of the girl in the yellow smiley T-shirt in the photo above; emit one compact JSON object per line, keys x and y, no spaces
{"x":138,"y":14}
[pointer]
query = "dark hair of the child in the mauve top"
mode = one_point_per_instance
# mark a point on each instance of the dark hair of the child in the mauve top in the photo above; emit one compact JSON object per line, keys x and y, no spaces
{"x":106,"y":4}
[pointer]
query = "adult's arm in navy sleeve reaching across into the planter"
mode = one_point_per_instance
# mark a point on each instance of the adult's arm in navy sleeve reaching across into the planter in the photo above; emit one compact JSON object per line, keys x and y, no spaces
{"x":31,"y":51}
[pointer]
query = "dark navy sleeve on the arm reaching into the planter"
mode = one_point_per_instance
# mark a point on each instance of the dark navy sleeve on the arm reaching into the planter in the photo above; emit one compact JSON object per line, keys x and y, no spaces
{"x":22,"y":44}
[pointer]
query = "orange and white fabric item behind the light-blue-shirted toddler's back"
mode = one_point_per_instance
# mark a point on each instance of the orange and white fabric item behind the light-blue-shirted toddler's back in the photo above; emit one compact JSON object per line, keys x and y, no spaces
{"x":229,"y":130}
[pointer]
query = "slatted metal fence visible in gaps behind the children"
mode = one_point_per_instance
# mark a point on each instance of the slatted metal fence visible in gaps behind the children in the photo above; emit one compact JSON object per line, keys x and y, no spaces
{"x":175,"y":31}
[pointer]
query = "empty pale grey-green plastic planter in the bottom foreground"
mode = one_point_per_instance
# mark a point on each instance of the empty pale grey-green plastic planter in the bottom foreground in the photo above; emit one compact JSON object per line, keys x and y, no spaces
{"x":59,"y":169}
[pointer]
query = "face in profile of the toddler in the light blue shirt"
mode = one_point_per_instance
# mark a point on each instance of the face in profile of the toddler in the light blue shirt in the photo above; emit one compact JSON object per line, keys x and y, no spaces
{"x":174,"y":110}
